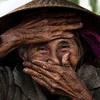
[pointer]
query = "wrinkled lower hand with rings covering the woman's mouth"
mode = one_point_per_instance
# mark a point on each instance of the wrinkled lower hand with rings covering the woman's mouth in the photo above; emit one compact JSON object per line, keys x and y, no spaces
{"x":60,"y":80}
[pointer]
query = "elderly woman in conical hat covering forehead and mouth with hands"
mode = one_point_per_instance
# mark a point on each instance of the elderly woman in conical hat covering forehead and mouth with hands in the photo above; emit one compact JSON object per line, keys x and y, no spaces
{"x":58,"y":55}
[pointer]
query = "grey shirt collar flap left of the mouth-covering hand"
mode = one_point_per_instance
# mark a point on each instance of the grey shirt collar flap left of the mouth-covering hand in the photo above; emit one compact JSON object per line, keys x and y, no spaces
{"x":30,"y":88}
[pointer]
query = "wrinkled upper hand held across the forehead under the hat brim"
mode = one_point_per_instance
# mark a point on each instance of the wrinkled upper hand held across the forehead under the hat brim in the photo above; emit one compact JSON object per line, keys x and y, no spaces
{"x":38,"y":30}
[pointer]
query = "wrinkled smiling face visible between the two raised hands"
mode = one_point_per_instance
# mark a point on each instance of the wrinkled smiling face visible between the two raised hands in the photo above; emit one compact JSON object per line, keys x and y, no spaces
{"x":54,"y":51}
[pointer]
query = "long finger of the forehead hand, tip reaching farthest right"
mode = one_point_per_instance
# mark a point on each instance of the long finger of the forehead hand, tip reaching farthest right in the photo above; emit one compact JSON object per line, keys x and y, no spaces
{"x":60,"y":25}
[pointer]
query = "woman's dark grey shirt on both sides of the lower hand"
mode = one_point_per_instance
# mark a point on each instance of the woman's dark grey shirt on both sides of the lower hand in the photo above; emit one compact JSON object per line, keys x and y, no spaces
{"x":15,"y":85}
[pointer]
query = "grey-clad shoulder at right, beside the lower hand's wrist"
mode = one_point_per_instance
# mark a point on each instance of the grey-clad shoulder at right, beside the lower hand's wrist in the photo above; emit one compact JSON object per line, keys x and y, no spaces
{"x":90,"y":75}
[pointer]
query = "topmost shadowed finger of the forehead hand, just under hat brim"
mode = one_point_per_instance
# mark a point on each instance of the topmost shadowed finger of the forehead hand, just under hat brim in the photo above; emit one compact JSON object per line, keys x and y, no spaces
{"x":32,"y":18}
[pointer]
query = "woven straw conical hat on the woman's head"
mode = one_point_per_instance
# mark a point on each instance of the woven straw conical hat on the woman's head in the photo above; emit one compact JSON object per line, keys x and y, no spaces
{"x":14,"y":17}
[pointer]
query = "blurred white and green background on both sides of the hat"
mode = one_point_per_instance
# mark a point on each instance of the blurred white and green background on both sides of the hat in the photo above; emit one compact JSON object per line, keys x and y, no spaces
{"x":8,"y":5}
